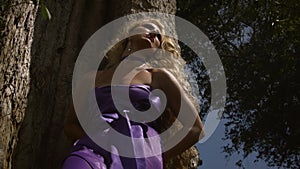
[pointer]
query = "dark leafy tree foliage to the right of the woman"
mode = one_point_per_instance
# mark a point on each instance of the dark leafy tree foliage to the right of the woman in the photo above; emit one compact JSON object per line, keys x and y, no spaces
{"x":258,"y":42}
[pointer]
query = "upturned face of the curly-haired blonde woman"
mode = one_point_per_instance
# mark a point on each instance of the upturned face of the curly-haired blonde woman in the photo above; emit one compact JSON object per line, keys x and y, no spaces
{"x":145,"y":36}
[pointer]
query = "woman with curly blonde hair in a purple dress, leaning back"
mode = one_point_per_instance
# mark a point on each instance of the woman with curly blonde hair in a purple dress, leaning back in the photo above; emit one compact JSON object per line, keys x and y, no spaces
{"x":141,"y":80}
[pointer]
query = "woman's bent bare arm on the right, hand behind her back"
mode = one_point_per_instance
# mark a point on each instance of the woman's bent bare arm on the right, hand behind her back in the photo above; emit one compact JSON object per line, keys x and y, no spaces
{"x":177,"y":101}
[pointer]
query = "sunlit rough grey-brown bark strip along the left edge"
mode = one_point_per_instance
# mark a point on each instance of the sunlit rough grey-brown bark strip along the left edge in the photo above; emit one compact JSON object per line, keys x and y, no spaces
{"x":16,"y":40}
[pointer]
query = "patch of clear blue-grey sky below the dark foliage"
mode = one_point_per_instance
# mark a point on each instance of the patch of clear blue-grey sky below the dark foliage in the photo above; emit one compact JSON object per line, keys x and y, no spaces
{"x":213,"y":158}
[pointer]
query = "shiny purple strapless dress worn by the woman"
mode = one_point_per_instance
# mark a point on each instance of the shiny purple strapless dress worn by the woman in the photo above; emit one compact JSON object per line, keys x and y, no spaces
{"x":86,"y":154}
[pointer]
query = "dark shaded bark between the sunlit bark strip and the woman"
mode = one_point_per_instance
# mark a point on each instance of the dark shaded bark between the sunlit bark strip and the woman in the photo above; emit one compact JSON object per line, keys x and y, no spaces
{"x":56,"y":45}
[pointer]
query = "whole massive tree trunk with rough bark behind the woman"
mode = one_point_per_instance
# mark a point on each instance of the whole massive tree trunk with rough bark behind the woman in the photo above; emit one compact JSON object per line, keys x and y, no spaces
{"x":55,"y":47}
